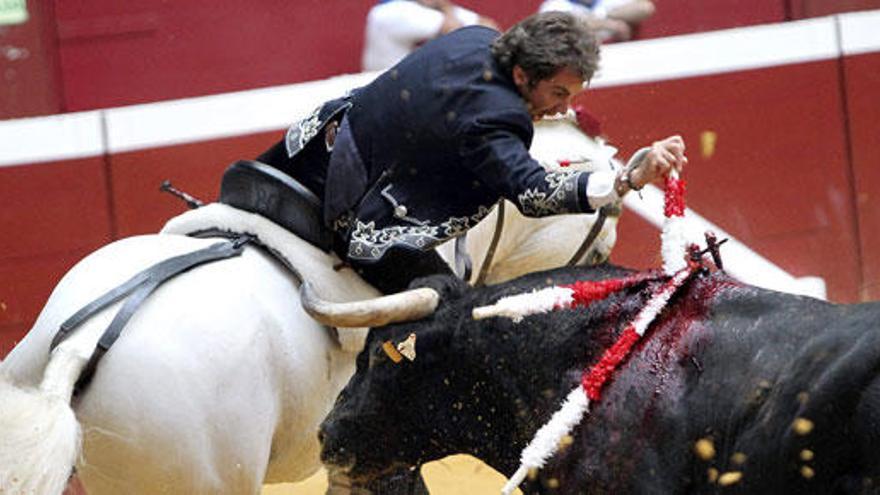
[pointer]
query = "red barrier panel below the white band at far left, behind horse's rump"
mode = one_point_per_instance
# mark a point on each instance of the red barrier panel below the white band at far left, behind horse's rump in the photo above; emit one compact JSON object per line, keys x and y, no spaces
{"x":52,"y":215}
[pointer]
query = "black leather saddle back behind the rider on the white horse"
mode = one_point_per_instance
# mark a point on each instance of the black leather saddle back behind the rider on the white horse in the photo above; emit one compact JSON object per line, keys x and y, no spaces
{"x":262,"y":189}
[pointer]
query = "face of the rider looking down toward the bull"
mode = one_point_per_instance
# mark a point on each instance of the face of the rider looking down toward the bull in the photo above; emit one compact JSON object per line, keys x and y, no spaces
{"x":549,"y":96}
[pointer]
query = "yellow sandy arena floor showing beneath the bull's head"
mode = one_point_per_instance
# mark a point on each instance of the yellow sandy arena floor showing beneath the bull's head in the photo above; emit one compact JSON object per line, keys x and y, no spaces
{"x":454,"y":475}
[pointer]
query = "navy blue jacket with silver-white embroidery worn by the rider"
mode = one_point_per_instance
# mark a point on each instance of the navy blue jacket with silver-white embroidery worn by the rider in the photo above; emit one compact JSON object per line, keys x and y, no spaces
{"x":426,"y":149}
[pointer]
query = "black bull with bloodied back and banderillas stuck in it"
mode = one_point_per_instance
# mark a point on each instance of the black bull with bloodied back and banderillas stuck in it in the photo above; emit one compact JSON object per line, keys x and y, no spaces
{"x":783,"y":388}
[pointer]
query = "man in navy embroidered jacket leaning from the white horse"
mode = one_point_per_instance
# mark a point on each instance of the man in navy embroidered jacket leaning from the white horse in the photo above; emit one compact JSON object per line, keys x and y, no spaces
{"x":422,"y":153}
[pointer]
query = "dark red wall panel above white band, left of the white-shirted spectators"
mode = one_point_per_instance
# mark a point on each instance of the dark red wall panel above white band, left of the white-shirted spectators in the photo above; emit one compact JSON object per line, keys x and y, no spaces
{"x":118,"y":53}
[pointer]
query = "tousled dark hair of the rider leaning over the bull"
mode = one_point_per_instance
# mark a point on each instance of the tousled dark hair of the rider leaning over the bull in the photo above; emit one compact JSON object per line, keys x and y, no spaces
{"x":543,"y":44}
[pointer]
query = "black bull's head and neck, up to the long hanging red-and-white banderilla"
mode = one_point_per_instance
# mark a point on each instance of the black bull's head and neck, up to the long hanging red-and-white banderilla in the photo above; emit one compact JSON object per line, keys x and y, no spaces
{"x":477,"y":387}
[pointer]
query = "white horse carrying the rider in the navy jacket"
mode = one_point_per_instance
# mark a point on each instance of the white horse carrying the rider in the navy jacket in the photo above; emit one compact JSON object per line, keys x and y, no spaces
{"x":220,"y":379}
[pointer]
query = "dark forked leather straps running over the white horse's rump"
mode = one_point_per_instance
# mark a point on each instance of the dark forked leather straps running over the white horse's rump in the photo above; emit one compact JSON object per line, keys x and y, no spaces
{"x":138,"y":288}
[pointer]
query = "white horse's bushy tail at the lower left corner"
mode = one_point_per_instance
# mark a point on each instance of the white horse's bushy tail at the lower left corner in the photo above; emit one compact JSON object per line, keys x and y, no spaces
{"x":39,"y":435}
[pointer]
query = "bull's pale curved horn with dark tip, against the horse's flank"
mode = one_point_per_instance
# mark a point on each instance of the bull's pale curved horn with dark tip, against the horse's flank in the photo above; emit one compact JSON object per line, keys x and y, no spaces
{"x":403,"y":306}
